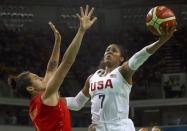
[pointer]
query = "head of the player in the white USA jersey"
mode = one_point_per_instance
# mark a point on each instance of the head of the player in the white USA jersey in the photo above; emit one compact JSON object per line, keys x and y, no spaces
{"x":112,"y":56}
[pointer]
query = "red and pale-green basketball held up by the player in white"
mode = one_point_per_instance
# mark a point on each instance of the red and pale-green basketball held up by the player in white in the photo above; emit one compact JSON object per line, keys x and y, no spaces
{"x":158,"y":18}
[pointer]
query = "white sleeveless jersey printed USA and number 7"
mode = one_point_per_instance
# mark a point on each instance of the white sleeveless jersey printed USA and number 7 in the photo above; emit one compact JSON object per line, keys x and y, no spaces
{"x":109,"y":97}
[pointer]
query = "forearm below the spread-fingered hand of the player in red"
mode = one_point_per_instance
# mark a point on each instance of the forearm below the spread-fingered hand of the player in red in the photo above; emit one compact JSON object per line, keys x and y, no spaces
{"x":72,"y":50}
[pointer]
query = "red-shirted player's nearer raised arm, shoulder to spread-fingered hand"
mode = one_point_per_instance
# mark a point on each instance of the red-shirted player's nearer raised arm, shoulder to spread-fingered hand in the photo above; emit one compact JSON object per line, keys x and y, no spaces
{"x":50,"y":95}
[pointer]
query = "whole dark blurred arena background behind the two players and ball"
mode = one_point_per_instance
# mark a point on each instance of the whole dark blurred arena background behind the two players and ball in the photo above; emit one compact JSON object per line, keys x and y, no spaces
{"x":159,"y":94}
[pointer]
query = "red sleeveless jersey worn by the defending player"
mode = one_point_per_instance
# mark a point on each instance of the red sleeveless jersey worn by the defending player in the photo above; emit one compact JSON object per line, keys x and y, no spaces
{"x":49,"y":118}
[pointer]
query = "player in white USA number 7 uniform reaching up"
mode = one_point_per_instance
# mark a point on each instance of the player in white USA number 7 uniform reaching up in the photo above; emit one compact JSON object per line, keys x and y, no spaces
{"x":109,"y":88}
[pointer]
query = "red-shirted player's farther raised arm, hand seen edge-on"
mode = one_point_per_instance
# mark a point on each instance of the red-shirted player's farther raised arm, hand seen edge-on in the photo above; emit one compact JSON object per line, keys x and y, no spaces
{"x":54,"y":59}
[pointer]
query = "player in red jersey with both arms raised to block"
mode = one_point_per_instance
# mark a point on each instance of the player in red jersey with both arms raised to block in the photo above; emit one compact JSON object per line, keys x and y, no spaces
{"x":47,"y":111}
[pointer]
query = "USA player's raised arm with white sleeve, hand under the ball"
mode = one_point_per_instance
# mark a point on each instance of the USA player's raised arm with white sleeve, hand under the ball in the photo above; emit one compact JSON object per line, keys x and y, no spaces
{"x":128,"y":68}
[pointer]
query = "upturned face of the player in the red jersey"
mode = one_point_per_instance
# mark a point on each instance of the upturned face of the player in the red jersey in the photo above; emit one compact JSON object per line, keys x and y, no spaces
{"x":37,"y":82}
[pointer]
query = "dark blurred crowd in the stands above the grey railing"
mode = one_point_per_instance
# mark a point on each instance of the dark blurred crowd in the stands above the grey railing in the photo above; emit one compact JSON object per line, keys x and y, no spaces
{"x":28,"y":50}
